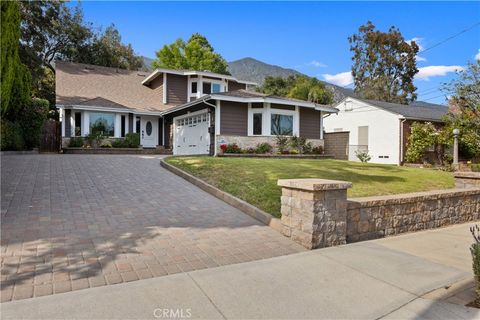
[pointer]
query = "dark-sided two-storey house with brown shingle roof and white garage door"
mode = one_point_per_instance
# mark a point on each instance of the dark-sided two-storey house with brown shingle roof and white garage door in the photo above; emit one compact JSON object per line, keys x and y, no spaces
{"x":190,"y":112}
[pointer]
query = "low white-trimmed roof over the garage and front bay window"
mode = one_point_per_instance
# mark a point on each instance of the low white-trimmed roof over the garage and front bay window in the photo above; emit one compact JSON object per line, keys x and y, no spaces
{"x":250,"y":96}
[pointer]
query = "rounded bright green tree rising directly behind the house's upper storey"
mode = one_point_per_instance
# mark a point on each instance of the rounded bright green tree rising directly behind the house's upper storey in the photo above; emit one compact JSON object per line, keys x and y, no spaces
{"x":195,"y":54}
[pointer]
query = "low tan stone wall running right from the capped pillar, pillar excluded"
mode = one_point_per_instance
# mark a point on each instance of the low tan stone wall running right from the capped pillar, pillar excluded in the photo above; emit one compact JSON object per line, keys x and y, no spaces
{"x":377,"y":217}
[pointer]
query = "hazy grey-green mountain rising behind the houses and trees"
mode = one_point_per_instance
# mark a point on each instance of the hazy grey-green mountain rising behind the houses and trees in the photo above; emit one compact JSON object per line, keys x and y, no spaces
{"x":250,"y":69}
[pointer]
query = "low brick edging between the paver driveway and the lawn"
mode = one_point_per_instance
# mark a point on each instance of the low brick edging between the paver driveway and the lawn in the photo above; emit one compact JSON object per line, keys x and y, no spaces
{"x":235,"y":202}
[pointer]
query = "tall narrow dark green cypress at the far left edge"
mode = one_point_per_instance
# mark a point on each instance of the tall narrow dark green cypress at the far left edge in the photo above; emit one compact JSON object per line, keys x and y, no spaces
{"x":15,"y":77}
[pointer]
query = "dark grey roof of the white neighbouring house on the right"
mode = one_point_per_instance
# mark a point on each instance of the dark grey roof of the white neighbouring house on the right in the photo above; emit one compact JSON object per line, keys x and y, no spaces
{"x":418,"y":110}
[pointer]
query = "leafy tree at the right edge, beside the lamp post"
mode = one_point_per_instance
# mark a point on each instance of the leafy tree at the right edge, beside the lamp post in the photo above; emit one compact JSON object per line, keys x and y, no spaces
{"x":464,"y":103}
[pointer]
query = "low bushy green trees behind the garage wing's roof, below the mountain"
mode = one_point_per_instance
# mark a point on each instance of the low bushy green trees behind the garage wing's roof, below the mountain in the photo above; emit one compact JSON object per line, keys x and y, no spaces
{"x":298,"y":87}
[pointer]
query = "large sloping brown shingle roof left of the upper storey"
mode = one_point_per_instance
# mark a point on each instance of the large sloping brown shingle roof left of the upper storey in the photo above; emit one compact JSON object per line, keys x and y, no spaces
{"x":81,"y":84}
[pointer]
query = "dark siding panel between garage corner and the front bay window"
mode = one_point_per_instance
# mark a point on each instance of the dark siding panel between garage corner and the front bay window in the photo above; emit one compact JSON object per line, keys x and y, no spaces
{"x":234,"y":118}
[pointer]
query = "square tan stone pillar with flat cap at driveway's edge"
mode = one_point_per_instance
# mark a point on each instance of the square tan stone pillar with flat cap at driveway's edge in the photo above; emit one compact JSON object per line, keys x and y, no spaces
{"x":314,"y":211}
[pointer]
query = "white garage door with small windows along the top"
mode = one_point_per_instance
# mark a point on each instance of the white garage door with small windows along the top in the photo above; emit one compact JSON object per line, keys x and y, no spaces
{"x":191,"y":134}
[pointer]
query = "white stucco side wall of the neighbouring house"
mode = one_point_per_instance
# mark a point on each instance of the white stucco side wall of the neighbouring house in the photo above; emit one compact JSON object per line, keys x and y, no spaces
{"x":383,"y":130}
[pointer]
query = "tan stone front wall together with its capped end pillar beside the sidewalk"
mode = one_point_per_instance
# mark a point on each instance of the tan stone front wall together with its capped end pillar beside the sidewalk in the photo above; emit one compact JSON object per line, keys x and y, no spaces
{"x":316,"y":212}
